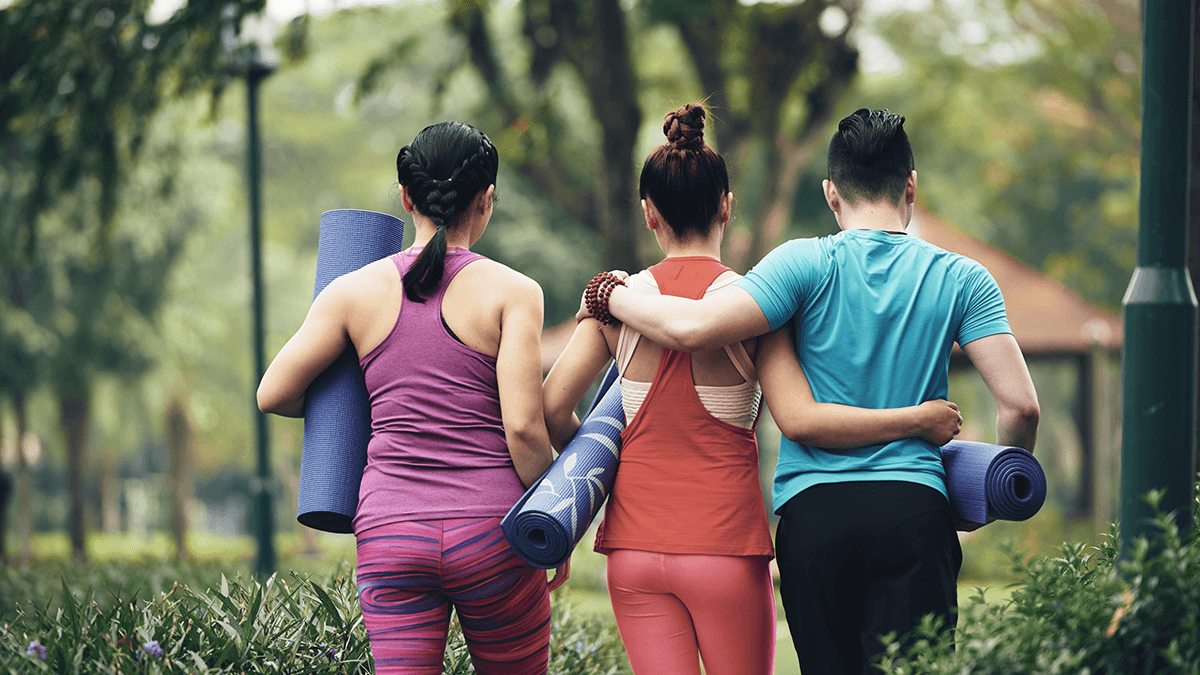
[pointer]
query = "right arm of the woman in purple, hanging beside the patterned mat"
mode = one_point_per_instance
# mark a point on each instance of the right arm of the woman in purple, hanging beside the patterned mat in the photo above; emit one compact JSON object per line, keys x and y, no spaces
{"x":519,"y":379}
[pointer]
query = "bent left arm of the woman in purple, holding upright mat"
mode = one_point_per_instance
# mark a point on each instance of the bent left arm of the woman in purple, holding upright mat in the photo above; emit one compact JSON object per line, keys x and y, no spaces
{"x":320,"y":342}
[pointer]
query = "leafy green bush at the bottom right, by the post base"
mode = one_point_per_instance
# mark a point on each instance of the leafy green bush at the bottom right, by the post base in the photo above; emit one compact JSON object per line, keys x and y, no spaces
{"x":1083,"y":612}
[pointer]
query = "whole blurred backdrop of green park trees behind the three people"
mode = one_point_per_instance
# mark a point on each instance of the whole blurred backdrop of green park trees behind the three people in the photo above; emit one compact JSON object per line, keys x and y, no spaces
{"x":124,"y":288}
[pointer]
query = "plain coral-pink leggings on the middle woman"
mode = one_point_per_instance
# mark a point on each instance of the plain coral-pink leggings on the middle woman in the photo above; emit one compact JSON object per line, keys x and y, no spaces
{"x":673,"y":607}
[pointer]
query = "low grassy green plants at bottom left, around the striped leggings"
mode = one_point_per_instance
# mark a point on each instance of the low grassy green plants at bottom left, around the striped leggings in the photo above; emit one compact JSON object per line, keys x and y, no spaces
{"x":130,"y":619}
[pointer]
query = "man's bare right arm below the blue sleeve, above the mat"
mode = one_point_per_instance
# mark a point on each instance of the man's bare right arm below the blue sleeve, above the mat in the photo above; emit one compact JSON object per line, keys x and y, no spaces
{"x":1000,"y":362}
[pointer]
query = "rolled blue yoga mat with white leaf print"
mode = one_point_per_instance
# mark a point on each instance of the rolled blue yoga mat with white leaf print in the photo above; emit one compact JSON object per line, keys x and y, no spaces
{"x":549,"y":521}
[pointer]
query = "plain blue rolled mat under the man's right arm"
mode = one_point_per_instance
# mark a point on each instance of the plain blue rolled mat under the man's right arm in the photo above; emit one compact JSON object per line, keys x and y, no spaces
{"x":988,"y":483}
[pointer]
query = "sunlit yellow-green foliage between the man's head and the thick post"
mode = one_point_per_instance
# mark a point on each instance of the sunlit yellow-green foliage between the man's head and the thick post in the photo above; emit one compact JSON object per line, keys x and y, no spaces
{"x":1027,"y":129}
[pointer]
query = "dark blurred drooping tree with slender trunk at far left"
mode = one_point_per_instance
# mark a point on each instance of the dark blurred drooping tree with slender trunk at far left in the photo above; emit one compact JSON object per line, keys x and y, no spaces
{"x":83,"y":82}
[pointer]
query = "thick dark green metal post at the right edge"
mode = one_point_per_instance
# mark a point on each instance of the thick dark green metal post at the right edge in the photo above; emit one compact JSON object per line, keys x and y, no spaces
{"x":1160,"y":365}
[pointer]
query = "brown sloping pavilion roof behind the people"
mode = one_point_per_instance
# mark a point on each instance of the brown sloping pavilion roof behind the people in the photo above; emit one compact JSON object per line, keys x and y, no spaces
{"x":1047,"y":318}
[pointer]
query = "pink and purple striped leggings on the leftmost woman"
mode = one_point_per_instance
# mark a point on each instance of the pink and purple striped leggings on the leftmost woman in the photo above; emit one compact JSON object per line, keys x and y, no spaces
{"x":410,"y":575}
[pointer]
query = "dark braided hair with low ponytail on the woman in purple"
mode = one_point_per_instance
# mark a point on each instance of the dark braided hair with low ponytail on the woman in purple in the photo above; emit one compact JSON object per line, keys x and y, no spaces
{"x":445,"y":169}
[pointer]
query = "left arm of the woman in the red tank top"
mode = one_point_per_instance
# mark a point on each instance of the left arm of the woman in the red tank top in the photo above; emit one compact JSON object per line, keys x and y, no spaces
{"x":577,"y":368}
